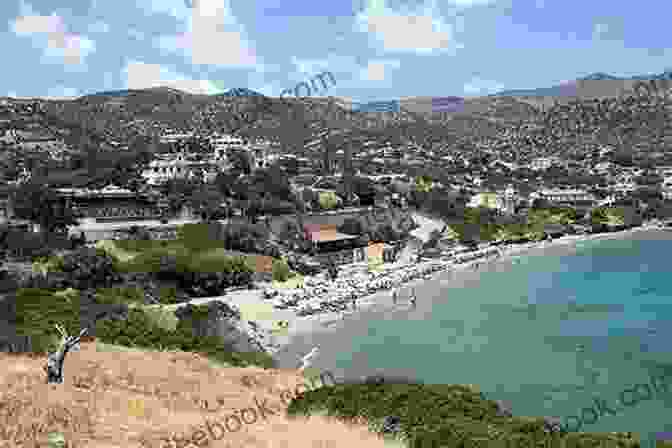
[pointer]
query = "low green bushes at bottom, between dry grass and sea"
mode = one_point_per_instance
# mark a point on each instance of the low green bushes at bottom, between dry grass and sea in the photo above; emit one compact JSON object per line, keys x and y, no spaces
{"x":435,"y":415}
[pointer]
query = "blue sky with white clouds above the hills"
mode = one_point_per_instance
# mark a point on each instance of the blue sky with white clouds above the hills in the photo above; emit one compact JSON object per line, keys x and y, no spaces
{"x":375,"y":49}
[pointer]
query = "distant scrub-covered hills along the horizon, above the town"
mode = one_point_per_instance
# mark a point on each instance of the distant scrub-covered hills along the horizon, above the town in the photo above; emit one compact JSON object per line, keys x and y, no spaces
{"x":512,"y":127}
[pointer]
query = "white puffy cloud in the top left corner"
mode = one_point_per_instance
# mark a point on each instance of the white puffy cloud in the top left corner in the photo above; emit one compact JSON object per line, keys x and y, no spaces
{"x":68,"y":47}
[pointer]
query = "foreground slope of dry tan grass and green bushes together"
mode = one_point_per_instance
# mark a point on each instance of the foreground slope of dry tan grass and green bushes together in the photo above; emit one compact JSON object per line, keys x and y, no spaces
{"x":115,"y":397}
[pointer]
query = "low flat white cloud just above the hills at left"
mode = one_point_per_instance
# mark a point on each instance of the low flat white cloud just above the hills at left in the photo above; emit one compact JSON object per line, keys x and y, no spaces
{"x":140,"y":75}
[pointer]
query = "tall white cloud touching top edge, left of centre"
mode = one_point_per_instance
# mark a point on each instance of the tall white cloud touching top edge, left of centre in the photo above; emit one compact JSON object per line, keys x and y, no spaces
{"x":213,"y":37}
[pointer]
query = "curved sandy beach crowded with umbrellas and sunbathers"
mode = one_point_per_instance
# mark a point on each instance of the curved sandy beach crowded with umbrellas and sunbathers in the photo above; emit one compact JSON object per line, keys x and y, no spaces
{"x":430,"y":274}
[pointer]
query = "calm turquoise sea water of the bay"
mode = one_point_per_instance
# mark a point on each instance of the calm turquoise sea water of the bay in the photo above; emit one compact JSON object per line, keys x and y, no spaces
{"x":546,"y":334}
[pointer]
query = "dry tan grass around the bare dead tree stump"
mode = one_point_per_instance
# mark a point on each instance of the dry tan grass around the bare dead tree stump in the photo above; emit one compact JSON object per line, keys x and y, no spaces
{"x":128,"y":399}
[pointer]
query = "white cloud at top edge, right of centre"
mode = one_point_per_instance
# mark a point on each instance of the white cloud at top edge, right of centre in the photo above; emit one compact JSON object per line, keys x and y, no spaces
{"x":418,"y":31}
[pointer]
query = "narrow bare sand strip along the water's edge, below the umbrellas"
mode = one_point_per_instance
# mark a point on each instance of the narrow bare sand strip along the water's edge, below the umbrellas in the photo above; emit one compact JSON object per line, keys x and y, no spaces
{"x":449,"y":272}
